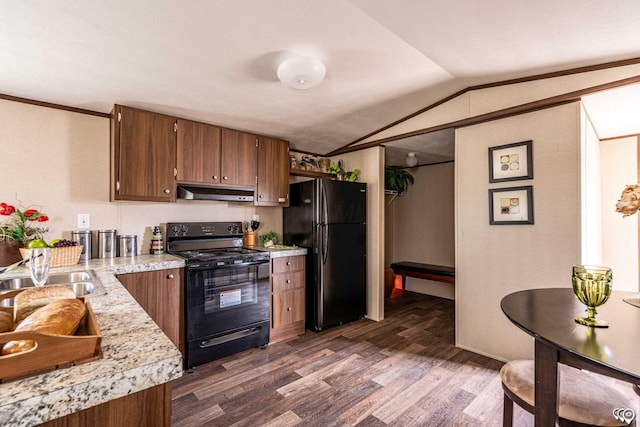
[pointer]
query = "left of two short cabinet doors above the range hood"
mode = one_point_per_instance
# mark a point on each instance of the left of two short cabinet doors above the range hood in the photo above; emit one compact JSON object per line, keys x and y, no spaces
{"x":198,"y":153}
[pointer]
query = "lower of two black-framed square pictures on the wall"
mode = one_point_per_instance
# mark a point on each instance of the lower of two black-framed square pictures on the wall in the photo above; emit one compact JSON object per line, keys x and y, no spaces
{"x":511,"y":206}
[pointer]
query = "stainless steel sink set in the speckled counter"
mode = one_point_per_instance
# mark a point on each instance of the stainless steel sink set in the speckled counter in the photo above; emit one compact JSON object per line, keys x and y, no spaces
{"x":83,"y":282}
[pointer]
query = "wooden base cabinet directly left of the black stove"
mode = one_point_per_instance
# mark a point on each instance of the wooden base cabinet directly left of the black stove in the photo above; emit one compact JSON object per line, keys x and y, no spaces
{"x":159,"y":293}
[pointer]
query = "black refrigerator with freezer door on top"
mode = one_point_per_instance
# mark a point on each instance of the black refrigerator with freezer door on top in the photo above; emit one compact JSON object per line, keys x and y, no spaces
{"x":329,"y":219}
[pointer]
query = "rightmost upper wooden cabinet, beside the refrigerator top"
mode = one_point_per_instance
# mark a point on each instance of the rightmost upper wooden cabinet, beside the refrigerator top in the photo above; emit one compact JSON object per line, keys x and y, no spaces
{"x":273,"y":173}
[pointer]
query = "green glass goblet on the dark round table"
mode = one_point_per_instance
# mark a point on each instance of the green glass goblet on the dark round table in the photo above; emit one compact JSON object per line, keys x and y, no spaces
{"x":592,"y":287}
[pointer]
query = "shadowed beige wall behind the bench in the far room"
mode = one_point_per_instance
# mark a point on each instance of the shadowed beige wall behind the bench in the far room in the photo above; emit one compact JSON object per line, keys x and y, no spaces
{"x":423,"y":225}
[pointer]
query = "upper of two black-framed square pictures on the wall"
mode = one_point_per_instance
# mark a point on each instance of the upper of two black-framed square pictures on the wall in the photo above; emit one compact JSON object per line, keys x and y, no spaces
{"x":511,"y":162}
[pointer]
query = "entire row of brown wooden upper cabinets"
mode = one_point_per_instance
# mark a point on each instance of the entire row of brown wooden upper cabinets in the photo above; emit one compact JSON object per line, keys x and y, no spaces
{"x":152,"y":152}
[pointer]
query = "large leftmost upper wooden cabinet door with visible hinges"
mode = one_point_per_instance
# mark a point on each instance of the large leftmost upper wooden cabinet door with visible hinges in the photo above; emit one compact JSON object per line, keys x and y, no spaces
{"x":143,"y":156}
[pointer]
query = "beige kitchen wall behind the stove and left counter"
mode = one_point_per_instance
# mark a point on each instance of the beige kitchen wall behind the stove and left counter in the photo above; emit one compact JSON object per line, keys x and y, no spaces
{"x":60,"y":161}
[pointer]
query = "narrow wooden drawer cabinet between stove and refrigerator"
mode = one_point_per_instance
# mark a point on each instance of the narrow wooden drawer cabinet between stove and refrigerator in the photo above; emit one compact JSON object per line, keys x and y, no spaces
{"x":287,"y":297}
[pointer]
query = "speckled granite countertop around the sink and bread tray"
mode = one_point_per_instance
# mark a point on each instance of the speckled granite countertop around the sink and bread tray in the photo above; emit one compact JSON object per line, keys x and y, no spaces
{"x":137,"y":354}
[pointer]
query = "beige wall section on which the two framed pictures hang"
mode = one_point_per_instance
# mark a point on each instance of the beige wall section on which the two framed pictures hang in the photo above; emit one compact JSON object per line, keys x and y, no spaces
{"x":493,"y":261}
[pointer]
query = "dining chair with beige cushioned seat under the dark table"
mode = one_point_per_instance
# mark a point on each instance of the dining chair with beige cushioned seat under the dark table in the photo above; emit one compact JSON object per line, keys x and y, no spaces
{"x":584,"y":398}
